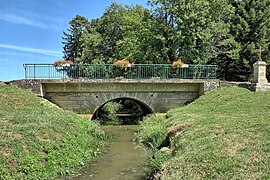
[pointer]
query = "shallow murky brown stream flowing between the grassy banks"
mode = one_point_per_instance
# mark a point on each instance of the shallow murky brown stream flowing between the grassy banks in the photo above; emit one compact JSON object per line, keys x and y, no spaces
{"x":121,"y":159}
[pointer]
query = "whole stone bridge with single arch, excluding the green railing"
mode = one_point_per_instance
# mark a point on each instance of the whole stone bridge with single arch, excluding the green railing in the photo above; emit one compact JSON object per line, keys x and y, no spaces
{"x":87,"y":96}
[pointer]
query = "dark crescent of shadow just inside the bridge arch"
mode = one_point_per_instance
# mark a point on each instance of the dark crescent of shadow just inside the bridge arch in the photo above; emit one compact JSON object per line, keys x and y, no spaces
{"x":144,"y":107}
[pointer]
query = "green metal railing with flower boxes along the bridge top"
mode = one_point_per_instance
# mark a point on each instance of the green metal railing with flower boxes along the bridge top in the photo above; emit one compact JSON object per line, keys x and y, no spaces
{"x":109,"y":71}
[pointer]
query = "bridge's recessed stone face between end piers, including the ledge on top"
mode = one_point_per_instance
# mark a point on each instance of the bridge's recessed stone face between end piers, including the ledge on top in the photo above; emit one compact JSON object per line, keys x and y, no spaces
{"x":88,"y":97}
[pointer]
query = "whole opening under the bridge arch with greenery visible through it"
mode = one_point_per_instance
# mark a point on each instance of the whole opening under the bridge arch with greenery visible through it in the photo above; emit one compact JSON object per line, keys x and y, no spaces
{"x":121,"y":111}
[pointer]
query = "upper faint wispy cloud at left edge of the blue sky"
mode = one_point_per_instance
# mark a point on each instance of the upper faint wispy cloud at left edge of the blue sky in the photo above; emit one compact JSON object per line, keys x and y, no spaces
{"x":13,"y":18}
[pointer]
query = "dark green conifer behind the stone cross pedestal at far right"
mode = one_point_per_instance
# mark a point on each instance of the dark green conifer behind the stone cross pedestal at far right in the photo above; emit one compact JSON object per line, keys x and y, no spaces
{"x":250,"y":27}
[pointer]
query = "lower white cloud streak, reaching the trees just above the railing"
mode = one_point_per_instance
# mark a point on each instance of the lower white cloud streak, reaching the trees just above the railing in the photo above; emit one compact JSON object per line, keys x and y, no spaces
{"x":32,"y":50}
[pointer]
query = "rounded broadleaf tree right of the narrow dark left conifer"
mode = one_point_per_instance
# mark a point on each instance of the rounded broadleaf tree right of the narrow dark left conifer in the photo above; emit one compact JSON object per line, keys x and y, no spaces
{"x":121,"y":33}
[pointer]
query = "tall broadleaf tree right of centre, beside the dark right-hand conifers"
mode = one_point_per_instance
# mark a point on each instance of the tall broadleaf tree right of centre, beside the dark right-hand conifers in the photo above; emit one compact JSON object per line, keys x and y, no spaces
{"x":190,"y":28}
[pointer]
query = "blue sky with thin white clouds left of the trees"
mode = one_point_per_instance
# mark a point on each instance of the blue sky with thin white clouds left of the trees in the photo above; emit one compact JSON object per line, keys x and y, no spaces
{"x":31,"y":30}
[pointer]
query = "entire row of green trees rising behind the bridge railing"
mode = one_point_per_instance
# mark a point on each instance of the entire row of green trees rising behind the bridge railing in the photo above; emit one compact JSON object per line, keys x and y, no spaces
{"x":226,"y":33}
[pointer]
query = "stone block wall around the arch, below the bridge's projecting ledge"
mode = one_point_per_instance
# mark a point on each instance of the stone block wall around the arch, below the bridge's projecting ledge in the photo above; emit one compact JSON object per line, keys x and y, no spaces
{"x":88,"y":103}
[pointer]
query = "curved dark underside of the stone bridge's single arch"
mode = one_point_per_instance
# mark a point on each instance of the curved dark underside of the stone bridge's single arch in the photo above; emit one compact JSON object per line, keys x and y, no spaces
{"x":146,"y":109}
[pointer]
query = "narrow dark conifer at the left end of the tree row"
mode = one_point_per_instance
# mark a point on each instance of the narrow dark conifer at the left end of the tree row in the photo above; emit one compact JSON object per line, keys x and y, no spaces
{"x":71,"y":40}
